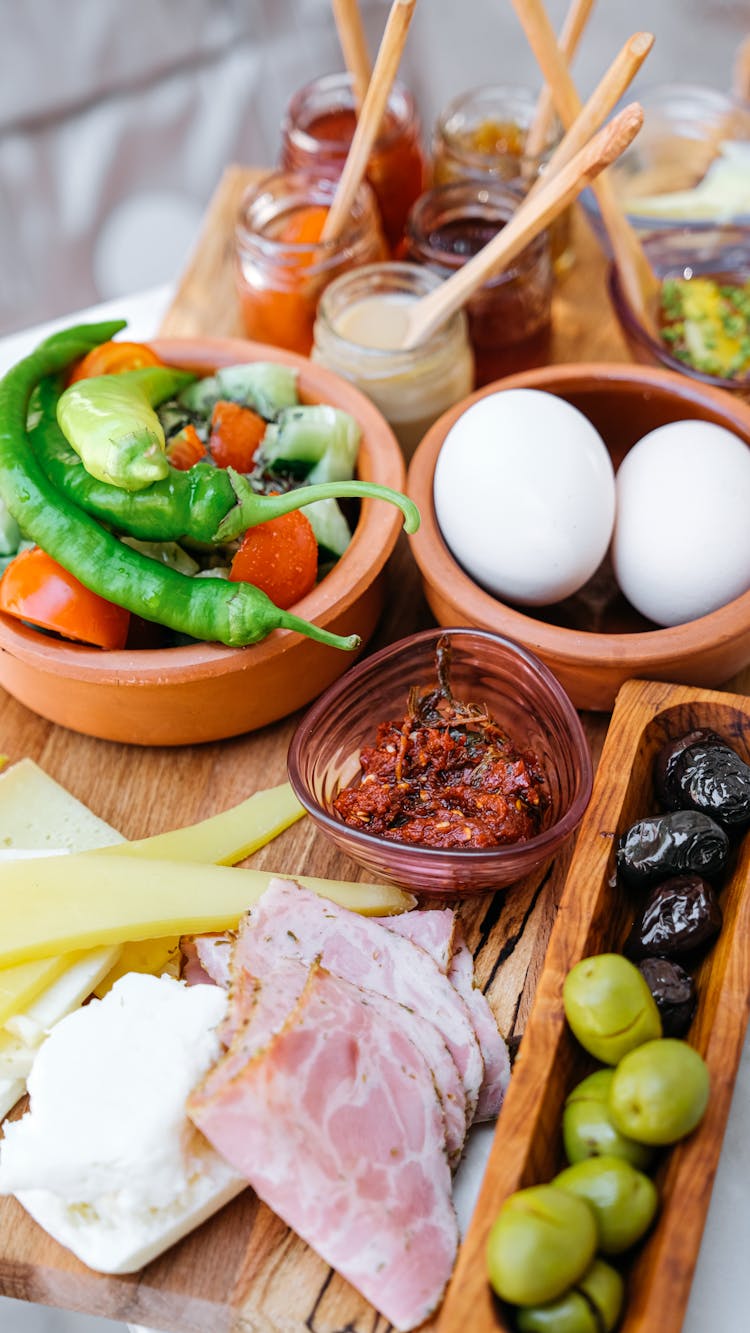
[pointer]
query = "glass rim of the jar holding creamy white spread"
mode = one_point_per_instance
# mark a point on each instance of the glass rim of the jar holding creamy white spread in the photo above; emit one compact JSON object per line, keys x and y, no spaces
{"x":378,"y":358}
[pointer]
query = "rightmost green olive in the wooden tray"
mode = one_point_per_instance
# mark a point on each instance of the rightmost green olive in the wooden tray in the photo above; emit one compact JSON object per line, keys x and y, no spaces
{"x":660,"y":1092}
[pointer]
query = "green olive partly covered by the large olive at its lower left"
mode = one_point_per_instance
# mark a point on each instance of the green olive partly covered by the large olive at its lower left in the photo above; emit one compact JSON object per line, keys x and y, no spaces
{"x":623,"y":1199}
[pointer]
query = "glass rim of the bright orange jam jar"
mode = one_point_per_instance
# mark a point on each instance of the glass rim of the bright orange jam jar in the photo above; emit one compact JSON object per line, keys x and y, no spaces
{"x":300,"y":190}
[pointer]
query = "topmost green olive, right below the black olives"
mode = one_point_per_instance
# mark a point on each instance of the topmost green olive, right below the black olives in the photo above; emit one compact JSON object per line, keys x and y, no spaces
{"x":609,"y":1007}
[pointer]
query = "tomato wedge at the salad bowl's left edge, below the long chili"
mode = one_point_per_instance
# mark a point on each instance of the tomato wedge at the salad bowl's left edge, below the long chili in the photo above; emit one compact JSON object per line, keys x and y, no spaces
{"x":38,"y":590}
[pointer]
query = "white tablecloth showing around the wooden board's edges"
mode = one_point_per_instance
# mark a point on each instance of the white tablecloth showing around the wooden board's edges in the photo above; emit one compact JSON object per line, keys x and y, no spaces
{"x":720,"y":1300}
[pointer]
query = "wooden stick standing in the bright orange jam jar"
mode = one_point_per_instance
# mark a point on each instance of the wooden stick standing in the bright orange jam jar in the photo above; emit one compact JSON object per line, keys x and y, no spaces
{"x":371,"y":115}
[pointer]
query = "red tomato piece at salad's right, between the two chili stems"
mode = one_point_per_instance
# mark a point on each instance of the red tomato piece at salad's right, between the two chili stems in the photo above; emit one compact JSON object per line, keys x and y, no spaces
{"x":280,"y":558}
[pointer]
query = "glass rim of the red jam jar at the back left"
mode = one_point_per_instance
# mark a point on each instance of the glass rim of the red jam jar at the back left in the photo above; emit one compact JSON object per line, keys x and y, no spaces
{"x":340,"y":90}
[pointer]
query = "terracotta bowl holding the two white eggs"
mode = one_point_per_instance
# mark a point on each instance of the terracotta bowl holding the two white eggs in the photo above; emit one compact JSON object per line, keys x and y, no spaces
{"x":596,"y":641}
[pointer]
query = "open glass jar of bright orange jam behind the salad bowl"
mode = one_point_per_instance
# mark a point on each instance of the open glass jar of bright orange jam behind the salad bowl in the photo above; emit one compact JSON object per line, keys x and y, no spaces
{"x":282,"y":265}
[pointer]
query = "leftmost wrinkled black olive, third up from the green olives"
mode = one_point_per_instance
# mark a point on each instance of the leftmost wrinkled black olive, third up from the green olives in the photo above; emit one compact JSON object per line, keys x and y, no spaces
{"x":680,"y":843}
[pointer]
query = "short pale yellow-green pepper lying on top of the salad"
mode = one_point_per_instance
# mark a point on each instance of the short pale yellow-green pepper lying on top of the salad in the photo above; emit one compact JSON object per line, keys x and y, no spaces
{"x":111,"y":425}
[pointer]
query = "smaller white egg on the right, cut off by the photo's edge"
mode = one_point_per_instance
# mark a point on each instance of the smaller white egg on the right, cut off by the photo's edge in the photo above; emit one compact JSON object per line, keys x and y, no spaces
{"x":683,"y":531}
